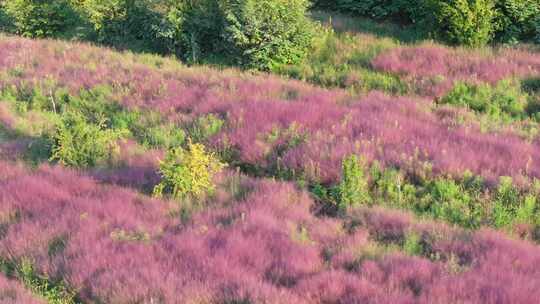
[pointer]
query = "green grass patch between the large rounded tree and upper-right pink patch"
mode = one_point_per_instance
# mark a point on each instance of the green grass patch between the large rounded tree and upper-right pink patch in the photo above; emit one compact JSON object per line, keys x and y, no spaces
{"x":343,"y":60}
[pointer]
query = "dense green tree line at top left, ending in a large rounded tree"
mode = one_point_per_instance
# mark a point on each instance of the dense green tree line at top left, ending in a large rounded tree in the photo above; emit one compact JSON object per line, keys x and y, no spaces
{"x":253,"y":33}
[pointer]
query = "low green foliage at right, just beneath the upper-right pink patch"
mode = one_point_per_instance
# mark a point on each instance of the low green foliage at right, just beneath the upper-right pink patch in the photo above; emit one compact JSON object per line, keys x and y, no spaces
{"x":506,"y":101}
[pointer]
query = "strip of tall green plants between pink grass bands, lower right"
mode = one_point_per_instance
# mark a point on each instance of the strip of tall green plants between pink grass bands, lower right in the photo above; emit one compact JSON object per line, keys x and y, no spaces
{"x":466,"y":201}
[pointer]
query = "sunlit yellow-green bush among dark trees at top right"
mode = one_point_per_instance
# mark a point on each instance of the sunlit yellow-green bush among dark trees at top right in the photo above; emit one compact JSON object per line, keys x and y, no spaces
{"x":466,"y":22}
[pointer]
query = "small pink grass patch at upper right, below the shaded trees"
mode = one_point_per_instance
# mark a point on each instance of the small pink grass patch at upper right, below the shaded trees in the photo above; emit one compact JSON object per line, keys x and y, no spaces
{"x":434,"y":69}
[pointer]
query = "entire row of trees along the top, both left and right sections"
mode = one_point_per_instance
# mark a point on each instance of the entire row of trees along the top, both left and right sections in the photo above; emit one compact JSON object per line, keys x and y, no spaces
{"x":260,"y":34}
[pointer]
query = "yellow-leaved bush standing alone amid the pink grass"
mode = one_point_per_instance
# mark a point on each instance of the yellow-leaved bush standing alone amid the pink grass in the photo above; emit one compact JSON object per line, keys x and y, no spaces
{"x":188,"y":172}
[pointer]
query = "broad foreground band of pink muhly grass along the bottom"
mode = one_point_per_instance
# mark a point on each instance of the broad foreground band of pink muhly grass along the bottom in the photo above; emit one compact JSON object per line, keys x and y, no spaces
{"x":119,"y":246}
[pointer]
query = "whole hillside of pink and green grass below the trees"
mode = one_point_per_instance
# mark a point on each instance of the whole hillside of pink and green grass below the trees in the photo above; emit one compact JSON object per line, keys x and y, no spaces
{"x":398,"y":171}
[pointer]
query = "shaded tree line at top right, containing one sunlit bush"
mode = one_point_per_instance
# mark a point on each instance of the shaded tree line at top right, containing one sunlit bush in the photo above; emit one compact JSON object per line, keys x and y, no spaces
{"x":464,"y":22}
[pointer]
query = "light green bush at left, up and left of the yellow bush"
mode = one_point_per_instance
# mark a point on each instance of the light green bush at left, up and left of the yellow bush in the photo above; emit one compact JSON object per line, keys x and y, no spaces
{"x":77,"y":143}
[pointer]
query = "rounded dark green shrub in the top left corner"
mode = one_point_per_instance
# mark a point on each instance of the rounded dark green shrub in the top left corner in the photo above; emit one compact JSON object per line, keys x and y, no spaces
{"x":40,"y":18}
